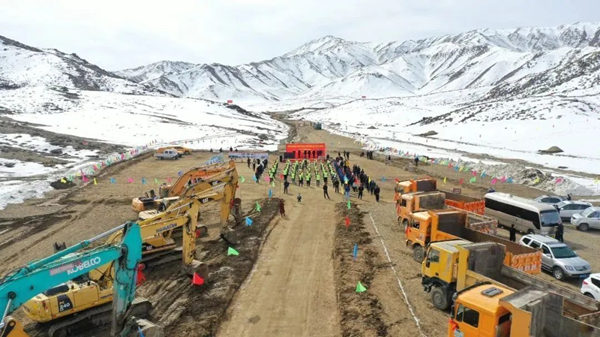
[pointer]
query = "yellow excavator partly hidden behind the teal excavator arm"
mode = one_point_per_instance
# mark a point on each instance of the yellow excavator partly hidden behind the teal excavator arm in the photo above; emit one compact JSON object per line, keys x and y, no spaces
{"x":95,"y":289}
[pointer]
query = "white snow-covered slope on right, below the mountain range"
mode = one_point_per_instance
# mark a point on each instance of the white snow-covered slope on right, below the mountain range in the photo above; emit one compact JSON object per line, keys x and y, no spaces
{"x":501,"y":131}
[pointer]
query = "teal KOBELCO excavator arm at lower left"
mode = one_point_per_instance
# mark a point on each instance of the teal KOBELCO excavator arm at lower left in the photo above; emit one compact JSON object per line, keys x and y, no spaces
{"x":41,"y":275}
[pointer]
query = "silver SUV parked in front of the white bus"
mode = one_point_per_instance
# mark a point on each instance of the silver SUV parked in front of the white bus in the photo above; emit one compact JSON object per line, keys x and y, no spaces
{"x":557,"y":257}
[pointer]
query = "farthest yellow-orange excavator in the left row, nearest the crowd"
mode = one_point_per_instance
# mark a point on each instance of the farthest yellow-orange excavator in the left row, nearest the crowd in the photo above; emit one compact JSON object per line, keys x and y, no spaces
{"x":190,"y":182}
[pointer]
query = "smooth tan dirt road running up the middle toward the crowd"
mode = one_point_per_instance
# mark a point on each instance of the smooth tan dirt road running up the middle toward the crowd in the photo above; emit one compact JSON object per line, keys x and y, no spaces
{"x":291,"y":290}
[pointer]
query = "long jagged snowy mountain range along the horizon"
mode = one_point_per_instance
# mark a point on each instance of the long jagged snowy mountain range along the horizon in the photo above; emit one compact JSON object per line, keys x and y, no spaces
{"x":497,"y":60}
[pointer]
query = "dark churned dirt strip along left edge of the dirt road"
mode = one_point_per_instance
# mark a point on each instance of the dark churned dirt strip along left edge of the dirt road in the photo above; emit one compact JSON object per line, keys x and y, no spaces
{"x":187,"y":310}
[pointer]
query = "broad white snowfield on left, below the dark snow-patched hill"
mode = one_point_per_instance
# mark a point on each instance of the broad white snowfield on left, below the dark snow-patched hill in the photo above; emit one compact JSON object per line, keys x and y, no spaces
{"x":135,"y":120}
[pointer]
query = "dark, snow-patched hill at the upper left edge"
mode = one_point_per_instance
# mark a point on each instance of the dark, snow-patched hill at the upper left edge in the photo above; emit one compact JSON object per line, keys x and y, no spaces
{"x":25,"y":66}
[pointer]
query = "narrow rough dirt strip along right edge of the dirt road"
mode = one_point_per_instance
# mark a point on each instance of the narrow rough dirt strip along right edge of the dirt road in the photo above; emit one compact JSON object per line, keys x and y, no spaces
{"x":361,"y":314}
